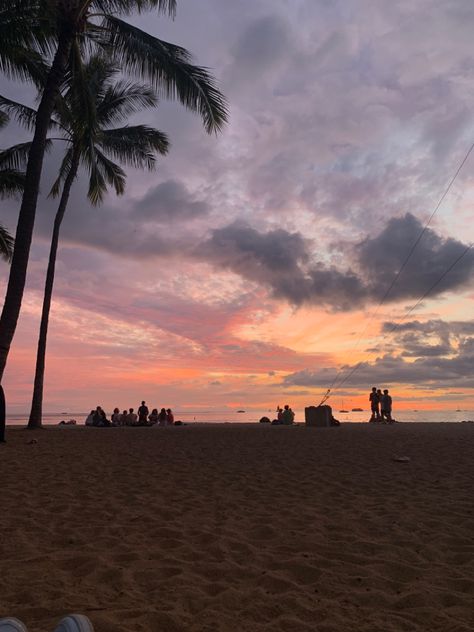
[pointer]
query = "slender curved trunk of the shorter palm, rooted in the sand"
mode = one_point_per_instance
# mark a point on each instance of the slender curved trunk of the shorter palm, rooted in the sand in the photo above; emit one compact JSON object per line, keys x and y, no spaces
{"x":36,"y":413}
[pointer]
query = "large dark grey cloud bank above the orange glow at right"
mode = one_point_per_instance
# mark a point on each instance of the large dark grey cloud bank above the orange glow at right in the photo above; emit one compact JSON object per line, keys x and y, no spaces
{"x":285,"y":263}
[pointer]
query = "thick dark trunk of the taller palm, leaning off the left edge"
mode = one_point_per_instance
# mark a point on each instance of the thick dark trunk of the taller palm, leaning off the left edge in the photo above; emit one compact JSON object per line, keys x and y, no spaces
{"x":26,"y":218}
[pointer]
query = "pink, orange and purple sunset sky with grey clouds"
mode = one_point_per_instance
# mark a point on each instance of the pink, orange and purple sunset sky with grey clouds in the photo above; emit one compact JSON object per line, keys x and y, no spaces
{"x":261,"y":265}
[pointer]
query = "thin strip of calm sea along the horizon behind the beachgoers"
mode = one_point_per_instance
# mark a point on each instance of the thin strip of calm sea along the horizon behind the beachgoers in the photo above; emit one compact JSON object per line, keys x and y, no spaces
{"x":253,"y":416}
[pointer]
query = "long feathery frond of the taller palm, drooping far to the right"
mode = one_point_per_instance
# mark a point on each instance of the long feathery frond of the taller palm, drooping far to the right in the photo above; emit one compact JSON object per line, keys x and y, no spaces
{"x":168,"y":66}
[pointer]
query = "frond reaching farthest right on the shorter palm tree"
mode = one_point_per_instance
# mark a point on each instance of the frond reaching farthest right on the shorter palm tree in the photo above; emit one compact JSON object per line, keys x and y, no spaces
{"x":135,"y":145}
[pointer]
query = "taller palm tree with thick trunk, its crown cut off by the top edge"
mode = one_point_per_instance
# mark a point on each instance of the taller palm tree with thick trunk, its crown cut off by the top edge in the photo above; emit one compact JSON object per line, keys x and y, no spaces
{"x":63,"y":30}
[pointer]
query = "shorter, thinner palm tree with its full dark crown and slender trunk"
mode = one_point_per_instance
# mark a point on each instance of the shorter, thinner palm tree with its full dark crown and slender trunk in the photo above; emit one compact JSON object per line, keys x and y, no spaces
{"x":85,"y":116}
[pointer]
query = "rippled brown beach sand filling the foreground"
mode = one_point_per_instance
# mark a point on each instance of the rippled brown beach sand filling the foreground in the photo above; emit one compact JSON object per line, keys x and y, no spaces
{"x":240,"y":528}
